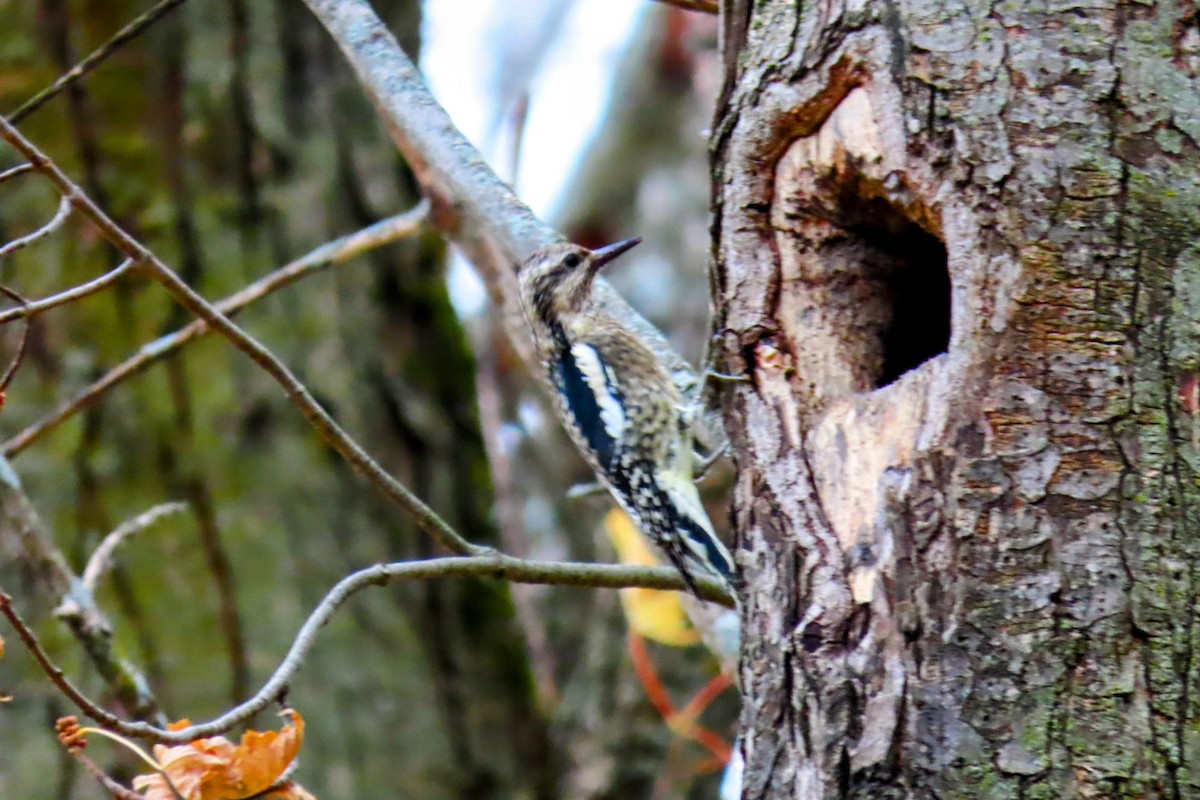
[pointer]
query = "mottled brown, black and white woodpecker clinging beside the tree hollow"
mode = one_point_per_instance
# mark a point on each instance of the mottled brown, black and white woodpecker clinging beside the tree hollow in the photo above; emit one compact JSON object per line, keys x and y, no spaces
{"x":621,"y":407}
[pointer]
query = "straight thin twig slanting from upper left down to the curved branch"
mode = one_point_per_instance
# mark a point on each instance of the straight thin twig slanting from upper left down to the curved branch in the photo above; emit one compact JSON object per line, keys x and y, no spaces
{"x":297,"y":393}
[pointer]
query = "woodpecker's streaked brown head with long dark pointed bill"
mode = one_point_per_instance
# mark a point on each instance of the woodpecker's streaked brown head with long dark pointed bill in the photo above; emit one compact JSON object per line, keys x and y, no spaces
{"x":557,"y":280}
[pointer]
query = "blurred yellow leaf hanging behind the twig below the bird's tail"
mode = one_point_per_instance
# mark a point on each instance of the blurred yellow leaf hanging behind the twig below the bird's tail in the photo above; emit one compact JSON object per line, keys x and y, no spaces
{"x":653,"y":613}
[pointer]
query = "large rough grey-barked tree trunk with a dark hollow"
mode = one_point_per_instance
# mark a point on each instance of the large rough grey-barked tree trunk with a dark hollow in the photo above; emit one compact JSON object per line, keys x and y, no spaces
{"x":975,"y":578}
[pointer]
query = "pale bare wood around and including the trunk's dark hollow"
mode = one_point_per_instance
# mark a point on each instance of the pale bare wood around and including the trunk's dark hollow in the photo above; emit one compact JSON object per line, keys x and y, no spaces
{"x":861,"y":269}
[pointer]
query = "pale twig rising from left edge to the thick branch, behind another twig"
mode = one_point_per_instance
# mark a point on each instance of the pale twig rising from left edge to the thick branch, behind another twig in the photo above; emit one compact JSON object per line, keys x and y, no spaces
{"x":335,"y":252}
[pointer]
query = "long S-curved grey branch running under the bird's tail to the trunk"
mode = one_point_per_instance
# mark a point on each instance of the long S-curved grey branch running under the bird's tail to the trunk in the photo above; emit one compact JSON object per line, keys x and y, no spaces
{"x":604,"y":576}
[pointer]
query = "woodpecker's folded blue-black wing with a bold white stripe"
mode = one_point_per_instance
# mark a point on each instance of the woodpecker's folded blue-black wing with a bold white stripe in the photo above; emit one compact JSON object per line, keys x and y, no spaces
{"x":595,"y":400}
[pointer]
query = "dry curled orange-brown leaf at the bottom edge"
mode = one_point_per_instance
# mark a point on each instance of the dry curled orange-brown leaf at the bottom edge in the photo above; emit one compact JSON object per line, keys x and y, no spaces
{"x":217,"y":769}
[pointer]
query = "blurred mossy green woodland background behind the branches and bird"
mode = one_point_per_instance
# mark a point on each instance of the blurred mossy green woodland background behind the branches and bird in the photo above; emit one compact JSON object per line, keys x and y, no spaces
{"x":232,"y":139}
